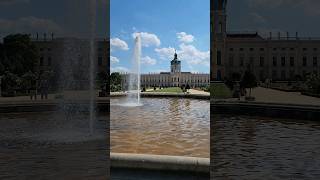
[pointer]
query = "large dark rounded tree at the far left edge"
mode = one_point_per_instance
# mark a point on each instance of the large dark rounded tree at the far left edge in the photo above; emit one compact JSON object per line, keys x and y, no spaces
{"x":18,"y":54}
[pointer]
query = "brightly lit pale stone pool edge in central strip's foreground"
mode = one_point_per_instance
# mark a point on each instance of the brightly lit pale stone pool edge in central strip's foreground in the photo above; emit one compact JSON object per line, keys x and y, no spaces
{"x":159,"y":162}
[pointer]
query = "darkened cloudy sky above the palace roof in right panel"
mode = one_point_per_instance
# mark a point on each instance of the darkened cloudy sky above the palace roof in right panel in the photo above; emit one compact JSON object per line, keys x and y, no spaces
{"x":275,"y":15}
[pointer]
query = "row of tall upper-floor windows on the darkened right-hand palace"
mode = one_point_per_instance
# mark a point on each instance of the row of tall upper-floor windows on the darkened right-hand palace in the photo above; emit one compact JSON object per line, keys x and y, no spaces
{"x":275,"y":61}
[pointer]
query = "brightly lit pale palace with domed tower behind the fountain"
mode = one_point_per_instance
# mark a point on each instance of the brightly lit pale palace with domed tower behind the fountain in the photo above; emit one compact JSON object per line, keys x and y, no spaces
{"x":174,"y":78}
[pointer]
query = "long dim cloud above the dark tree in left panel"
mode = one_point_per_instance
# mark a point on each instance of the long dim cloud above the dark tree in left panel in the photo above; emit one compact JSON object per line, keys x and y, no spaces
{"x":29,"y":25}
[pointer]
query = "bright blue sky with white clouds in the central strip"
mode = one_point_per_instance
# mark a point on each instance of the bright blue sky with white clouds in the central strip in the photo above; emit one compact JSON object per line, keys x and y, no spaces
{"x":164,"y":25}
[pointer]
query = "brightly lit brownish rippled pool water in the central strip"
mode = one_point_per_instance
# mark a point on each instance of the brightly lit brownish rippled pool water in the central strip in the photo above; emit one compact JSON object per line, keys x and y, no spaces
{"x":163,"y":126}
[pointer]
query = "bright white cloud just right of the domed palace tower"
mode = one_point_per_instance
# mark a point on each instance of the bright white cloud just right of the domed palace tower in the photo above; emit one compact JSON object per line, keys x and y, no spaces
{"x":193,"y":56}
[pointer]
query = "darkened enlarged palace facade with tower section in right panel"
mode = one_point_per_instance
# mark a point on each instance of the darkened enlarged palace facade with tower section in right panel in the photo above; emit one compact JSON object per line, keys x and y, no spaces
{"x":277,"y":57}
